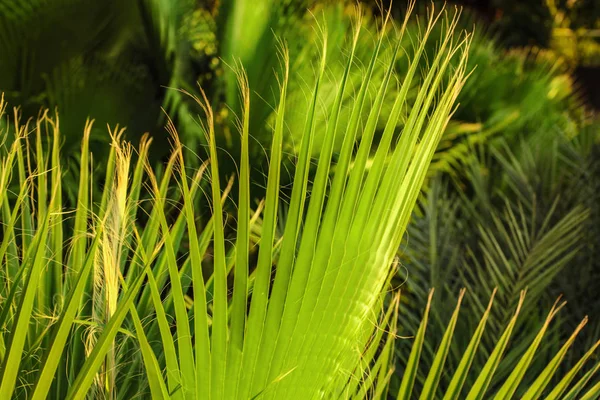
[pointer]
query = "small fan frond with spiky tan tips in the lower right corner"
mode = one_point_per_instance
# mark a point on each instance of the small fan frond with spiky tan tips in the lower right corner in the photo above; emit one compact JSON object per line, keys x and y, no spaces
{"x":446,"y":379}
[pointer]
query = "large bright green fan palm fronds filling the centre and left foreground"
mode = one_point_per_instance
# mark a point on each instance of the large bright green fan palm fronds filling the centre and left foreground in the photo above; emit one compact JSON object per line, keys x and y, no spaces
{"x":124,"y":299}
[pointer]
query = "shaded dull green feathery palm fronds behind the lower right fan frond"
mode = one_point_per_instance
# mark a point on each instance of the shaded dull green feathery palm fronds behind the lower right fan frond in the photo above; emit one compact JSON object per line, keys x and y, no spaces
{"x":520,"y":219}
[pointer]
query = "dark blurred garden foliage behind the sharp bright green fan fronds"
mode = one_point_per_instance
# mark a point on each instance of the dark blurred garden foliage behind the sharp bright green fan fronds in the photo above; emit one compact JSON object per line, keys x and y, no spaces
{"x":512,"y":200}
